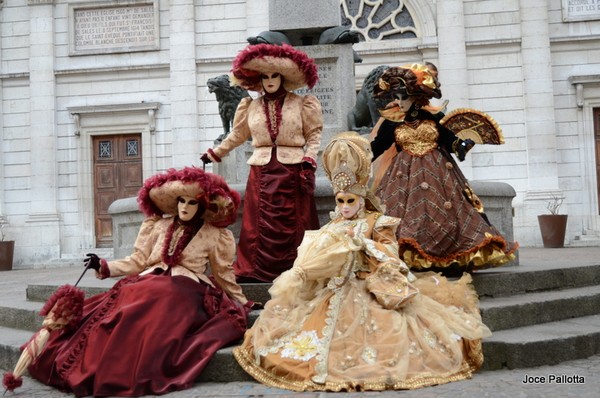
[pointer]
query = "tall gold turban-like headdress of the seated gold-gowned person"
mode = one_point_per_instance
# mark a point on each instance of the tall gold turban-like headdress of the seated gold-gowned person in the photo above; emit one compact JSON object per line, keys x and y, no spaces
{"x":347,"y":163}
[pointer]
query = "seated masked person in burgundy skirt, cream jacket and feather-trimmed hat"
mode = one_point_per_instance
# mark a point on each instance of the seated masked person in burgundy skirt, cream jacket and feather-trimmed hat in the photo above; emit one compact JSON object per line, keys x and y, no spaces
{"x":158,"y":327}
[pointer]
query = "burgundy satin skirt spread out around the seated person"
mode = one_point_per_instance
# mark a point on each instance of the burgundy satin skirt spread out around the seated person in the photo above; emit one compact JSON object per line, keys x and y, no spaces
{"x":147,"y":335}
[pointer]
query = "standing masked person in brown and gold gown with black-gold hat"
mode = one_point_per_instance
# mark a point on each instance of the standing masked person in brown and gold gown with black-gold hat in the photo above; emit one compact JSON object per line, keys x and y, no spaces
{"x":443,"y":224}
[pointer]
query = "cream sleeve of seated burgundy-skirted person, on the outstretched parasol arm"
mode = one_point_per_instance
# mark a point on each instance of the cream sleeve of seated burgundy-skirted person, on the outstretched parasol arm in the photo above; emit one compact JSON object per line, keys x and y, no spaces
{"x":137,"y":261}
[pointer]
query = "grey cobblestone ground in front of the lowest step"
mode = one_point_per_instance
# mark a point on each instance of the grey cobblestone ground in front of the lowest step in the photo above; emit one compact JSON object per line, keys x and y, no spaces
{"x":580,"y":378}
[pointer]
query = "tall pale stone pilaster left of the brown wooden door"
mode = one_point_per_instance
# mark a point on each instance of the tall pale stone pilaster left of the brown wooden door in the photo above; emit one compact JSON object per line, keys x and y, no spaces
{"x":42,"y":228}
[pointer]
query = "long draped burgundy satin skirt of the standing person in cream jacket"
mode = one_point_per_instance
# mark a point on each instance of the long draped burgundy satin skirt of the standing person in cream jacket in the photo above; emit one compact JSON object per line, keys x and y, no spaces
{"x":279,"y":205}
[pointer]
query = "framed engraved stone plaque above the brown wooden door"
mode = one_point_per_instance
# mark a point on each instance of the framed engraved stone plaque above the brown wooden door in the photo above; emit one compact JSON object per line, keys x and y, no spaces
{"x":113,"y":28}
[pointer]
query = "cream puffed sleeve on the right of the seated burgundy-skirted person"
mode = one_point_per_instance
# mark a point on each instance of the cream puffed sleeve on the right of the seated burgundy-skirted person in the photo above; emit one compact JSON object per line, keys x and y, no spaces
{"x":221,"y":259}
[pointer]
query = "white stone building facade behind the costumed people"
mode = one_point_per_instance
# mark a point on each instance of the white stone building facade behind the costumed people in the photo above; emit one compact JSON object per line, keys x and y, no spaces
{"x":73,"y":72}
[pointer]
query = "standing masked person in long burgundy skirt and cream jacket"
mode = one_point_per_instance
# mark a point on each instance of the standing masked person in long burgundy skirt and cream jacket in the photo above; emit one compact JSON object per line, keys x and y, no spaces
{"x":285,"y":129}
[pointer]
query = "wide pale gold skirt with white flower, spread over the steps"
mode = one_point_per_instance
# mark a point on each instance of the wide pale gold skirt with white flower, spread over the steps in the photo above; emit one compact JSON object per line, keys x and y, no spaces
{"x":346,"y":341}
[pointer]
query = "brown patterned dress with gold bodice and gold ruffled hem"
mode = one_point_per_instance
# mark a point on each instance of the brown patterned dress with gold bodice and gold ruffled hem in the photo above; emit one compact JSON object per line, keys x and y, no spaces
{"x":443,"y":222}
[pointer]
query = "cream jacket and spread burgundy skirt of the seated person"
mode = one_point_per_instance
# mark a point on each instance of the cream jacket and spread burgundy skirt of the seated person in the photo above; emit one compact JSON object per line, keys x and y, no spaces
{"x":154,"y":332}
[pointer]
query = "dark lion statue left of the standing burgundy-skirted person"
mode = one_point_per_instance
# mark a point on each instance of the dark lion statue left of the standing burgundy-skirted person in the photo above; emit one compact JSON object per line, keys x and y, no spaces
{"x":228,"y":97}
